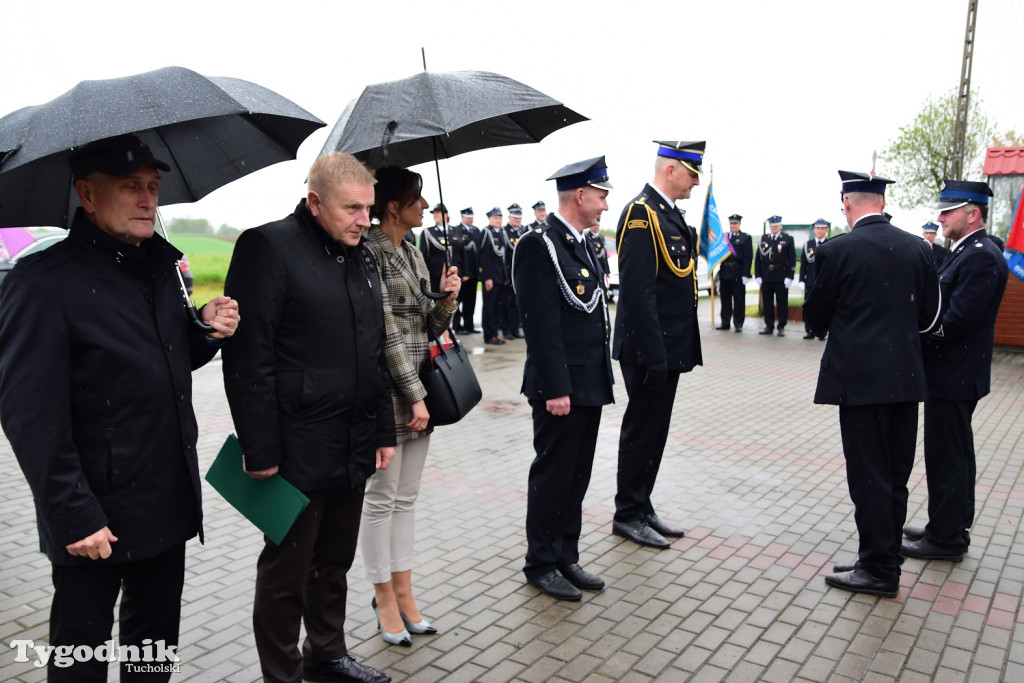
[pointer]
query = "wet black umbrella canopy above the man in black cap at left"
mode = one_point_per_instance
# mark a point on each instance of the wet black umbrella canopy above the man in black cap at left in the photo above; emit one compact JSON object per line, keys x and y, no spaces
{"x":211,"y":132}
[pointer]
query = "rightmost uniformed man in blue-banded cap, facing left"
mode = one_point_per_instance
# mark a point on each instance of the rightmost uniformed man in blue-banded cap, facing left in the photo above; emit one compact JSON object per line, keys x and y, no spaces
{"x":959,"y":366}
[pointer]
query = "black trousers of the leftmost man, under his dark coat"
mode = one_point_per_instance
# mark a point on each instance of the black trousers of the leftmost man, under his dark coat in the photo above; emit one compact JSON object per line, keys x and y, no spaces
{"x":82,"y":612}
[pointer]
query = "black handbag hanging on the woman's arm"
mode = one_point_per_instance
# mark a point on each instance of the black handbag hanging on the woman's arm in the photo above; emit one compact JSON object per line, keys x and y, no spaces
{"x":451,"y":383}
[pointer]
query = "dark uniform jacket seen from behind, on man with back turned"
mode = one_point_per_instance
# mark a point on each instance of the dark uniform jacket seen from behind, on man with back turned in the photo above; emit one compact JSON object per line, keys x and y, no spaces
{"x":876,"y":290}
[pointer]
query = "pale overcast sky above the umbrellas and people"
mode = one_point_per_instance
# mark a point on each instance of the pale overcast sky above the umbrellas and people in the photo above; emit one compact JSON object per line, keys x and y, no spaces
{"x":785,"y":93}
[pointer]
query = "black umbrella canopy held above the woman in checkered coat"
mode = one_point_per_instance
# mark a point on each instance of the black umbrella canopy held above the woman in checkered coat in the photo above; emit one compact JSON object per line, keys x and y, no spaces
{"x":436,"y":115}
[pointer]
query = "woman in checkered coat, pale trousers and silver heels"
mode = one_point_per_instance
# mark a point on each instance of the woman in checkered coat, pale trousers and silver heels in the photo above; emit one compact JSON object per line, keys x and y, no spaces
{"x":387,"y":528}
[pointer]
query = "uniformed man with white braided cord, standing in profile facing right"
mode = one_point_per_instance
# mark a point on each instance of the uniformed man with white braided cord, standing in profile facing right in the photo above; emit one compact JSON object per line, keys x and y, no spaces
{"x":568,"y":375}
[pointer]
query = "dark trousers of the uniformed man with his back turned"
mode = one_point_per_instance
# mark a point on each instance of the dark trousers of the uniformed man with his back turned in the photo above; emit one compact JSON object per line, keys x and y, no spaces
{"x":879,"y":444}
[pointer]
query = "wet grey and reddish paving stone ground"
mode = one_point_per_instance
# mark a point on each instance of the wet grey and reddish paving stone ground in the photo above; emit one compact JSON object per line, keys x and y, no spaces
{"x":753,"y":469}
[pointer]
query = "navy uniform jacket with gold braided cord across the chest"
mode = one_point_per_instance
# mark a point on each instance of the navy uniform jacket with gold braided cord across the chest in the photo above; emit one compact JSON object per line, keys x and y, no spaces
{"x":658,"y":298}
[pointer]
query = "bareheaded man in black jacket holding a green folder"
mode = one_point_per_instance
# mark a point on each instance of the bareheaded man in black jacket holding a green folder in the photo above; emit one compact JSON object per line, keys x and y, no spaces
{"x":309,"y":389}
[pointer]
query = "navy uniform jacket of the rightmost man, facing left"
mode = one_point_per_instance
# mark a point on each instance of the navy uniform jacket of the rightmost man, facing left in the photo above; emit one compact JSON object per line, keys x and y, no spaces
{"x":959,"y":354}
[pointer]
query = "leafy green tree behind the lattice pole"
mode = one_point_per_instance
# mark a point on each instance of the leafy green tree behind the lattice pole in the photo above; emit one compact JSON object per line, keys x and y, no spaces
{"x":922,"y":156}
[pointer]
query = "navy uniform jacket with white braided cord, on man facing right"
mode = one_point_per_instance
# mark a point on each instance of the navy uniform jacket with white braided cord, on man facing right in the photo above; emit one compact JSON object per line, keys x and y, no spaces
{"x":565,"y":315}
